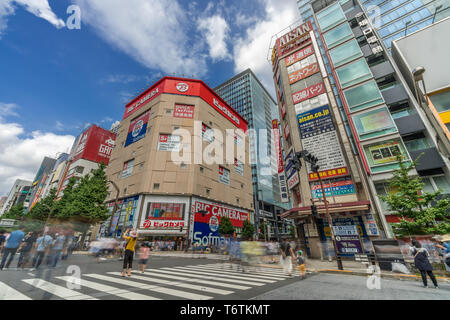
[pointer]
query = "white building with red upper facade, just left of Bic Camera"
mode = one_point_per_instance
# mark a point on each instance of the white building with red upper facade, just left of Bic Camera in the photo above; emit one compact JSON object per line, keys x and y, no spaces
{"x":90,"y":148}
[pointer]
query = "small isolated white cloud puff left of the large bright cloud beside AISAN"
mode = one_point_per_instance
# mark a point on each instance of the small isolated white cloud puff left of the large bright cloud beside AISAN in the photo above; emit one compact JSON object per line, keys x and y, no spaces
{"x":216,"y":31}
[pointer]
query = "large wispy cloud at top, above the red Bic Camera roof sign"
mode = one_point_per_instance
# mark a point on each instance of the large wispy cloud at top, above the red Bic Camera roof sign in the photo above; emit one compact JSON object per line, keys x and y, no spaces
{"x":155,"y":33}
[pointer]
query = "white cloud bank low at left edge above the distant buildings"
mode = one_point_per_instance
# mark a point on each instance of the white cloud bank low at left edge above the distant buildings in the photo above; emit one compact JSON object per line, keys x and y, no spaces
{"x":21,"y":154}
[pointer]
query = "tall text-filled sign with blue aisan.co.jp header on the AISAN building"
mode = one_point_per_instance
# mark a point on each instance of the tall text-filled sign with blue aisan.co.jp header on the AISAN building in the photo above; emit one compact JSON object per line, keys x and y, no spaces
{"x":319,"y":136}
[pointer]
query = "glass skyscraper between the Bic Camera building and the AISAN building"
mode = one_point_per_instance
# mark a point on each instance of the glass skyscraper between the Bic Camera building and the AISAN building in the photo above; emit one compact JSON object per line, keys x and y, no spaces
{"x":245,"y":94}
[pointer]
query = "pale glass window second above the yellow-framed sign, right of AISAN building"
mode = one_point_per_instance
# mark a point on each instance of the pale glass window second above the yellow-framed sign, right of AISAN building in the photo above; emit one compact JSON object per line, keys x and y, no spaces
{"x":363,"y":96}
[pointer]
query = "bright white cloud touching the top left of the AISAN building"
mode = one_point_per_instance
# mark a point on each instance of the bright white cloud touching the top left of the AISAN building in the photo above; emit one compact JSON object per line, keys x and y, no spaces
{"x":251,"y":51}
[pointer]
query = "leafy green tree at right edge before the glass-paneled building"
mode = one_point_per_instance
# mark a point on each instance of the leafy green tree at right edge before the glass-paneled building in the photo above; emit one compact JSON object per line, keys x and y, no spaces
{"x":413,"y":206}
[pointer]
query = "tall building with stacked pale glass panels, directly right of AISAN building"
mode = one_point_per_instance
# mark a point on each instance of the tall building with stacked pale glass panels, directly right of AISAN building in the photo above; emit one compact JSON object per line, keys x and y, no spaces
{"x":381,"y":111}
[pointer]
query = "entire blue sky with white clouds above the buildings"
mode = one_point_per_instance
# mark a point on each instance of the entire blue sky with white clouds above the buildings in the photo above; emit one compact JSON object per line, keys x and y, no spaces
{"x":55,"y":81}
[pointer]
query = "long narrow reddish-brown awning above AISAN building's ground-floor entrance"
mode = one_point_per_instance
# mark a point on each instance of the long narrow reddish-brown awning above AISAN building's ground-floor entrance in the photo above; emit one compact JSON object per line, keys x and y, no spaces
{"x":303,"y":212}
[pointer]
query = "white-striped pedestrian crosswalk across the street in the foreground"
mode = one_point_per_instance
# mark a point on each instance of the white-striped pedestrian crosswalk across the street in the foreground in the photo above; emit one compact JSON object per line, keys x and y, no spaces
{"x":192,"y":282}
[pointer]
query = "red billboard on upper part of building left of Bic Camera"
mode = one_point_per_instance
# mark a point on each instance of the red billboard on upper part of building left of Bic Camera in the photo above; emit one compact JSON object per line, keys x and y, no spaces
{"x":95,"y":145}
